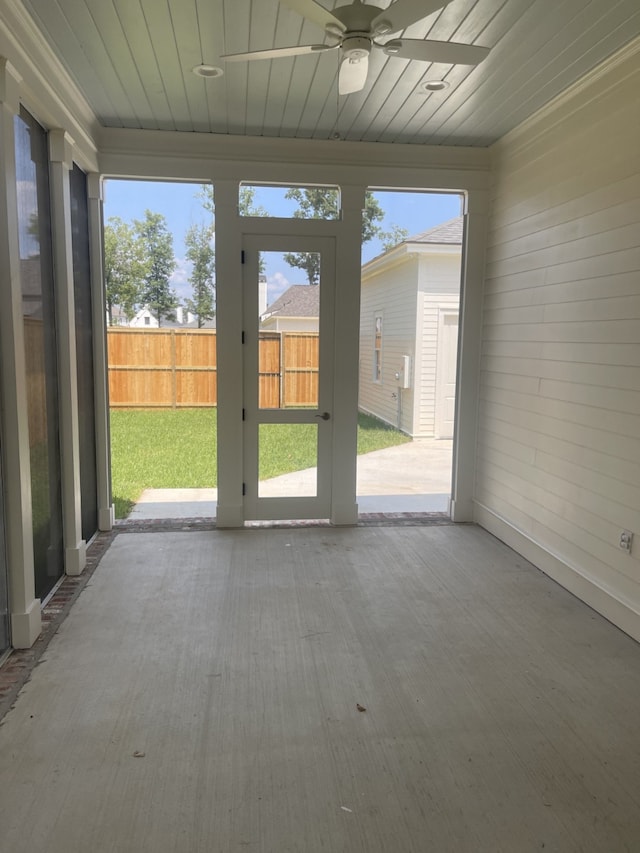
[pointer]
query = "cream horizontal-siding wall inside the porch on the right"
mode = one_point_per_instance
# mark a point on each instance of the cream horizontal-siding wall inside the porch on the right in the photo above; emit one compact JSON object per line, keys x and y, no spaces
{"x":558,"y":471}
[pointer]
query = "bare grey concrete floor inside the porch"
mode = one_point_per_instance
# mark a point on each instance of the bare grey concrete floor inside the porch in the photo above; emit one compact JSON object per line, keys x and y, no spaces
{"x":207,"y":694}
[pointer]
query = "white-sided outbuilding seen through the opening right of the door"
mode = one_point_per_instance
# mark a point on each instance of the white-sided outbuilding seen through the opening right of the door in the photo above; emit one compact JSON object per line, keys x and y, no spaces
{"x":409,"y":332}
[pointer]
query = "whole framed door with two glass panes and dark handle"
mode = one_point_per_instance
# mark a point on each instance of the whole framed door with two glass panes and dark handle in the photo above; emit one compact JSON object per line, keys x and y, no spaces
{"x":288,"y":376}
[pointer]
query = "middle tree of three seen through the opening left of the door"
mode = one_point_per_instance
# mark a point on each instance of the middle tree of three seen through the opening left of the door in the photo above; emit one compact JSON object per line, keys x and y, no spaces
{"x":157,"y":242}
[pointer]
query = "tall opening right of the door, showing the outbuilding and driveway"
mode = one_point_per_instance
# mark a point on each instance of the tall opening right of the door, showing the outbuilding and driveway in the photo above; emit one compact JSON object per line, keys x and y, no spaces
{"x":410,"y":298}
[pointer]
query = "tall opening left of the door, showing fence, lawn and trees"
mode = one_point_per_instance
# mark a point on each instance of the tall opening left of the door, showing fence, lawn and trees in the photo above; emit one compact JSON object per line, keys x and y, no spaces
{"x":161,"y":318}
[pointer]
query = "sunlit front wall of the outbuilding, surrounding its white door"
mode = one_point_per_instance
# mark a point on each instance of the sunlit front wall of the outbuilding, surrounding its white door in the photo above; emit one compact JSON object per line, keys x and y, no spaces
{"x":439,"y":291}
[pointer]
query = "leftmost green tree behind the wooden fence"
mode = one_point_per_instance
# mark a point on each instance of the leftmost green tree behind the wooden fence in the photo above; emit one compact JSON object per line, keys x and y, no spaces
{"x":125,"y":267}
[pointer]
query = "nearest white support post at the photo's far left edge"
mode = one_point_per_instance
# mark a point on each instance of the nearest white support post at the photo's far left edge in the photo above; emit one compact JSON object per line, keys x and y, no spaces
{"x":24,"y":608}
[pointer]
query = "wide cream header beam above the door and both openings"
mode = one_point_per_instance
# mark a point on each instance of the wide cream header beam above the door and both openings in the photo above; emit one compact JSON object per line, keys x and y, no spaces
{"x":203,"y":157}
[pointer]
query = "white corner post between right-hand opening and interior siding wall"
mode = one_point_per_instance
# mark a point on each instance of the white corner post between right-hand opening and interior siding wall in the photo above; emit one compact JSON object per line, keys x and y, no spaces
{"x":469,"y":344}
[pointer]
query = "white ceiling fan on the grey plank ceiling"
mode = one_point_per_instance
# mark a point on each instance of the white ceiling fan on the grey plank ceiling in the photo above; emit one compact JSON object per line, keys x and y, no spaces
{"x":355,"y":29}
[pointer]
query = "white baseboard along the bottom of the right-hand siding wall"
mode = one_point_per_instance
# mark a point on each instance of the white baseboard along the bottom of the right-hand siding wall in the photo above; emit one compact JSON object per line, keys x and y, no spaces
{"x":621,"y":613}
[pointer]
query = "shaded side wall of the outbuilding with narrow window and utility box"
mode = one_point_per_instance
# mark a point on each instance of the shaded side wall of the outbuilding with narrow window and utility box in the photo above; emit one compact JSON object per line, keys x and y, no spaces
{"x":393,"y":294}
